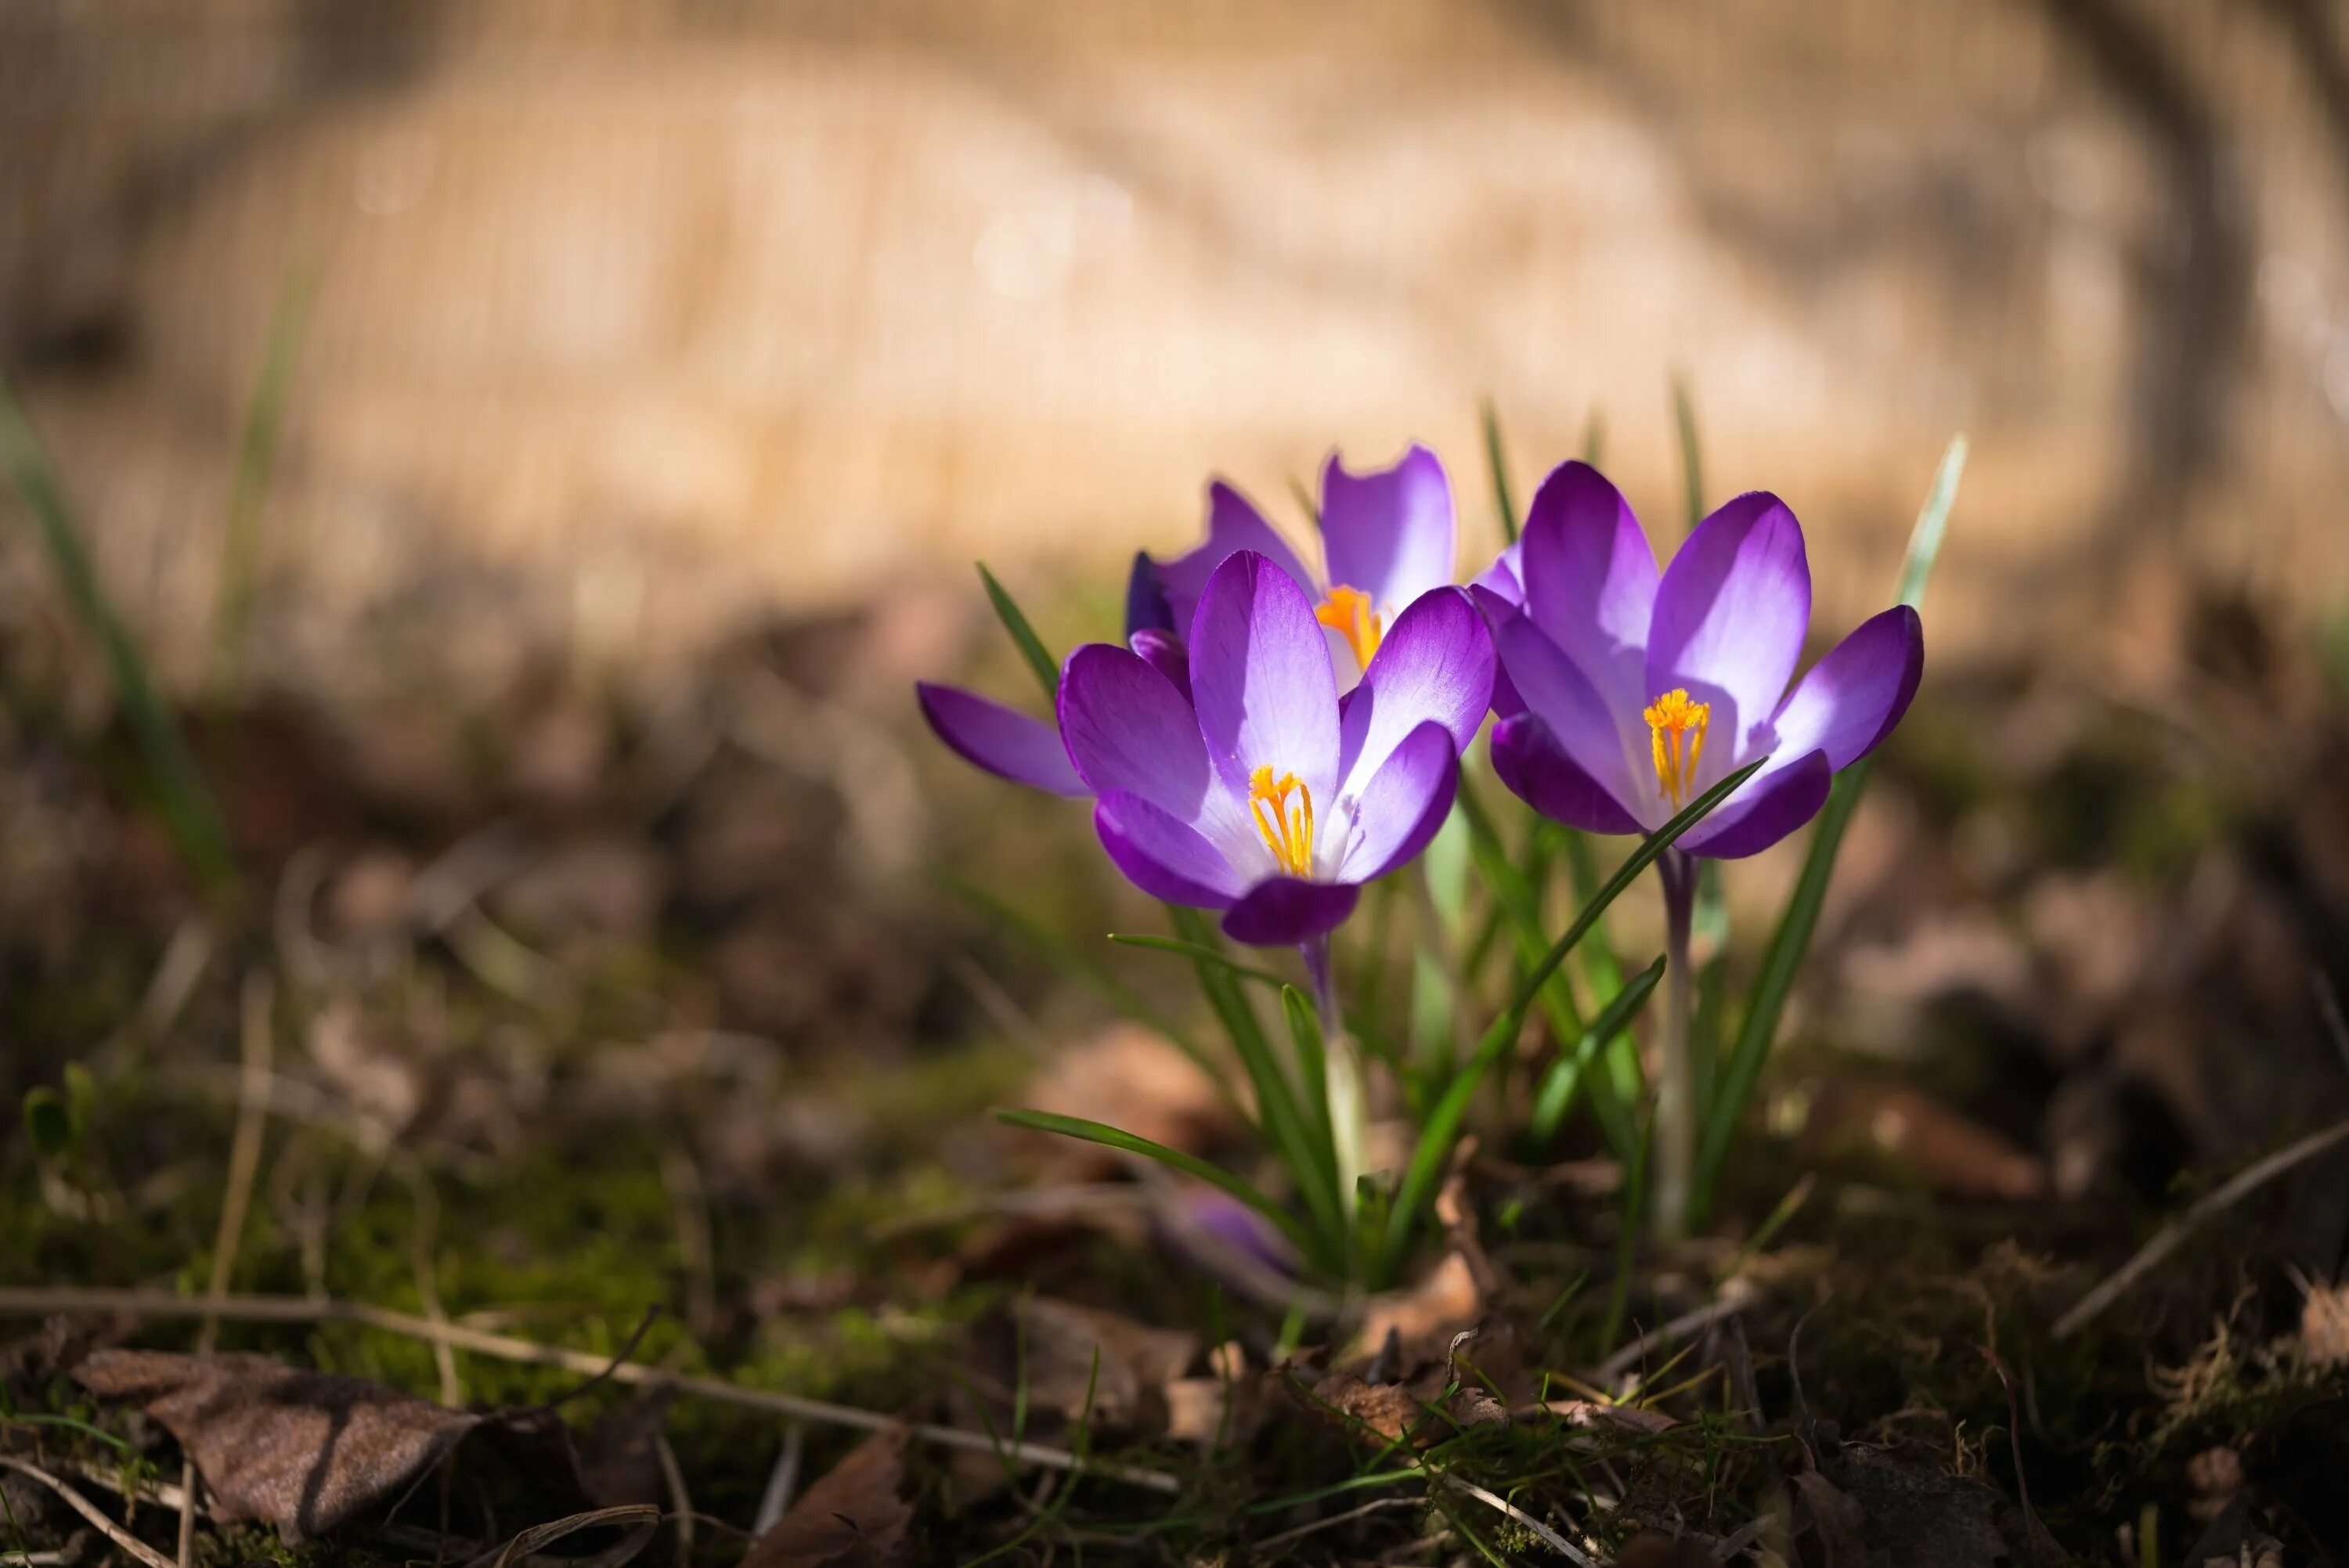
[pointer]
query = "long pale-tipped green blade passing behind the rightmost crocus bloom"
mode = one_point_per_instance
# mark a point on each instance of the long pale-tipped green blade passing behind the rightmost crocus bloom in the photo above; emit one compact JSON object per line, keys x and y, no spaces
{"x":1796,"y":928}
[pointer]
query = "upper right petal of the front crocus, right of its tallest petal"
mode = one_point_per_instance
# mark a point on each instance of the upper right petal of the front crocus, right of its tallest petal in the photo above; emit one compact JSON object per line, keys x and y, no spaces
{"x":1434,"y":665}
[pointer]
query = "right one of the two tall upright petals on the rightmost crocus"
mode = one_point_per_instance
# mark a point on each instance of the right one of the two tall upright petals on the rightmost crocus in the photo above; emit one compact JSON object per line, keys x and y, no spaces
{"x":1730,"y":623}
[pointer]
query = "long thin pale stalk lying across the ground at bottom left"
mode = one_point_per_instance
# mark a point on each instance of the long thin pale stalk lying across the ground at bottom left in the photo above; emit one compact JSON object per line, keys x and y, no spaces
{"x":39,"y":1302}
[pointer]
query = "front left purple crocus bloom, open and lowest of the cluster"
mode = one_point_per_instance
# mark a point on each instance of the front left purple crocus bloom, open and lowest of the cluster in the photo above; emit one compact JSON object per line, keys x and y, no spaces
{"x":1265,"y":795}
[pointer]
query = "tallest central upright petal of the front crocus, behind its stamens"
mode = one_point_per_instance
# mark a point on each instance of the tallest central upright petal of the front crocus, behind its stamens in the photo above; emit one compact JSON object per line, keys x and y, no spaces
{"x":1260,"y":677}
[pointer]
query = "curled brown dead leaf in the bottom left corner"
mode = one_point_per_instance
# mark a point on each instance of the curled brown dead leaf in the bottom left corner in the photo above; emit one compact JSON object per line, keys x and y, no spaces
{"x":299,"y":1449}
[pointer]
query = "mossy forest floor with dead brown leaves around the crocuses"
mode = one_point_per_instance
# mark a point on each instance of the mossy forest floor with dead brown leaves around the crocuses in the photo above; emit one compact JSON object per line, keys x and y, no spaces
{"x":570,"y":1137}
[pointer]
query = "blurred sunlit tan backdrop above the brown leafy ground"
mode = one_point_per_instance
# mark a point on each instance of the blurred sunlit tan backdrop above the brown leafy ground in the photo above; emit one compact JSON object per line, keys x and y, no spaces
{"x":628,"y":327}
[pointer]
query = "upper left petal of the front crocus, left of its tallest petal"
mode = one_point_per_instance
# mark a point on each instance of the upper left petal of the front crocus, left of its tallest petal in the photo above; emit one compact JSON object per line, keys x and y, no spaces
{"x":1131,"y":731}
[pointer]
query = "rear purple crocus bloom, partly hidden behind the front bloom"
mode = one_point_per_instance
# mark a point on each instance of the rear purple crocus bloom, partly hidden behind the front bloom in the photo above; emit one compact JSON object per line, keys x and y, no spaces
{"x":1387,"y":539}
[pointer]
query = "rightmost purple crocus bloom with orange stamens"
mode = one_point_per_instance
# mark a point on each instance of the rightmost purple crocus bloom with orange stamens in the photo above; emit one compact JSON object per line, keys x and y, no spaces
{"x":1645,"y":691}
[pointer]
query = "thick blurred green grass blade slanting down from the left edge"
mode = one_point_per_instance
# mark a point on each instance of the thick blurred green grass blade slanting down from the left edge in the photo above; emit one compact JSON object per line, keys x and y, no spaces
{"x":180,"y":785}
